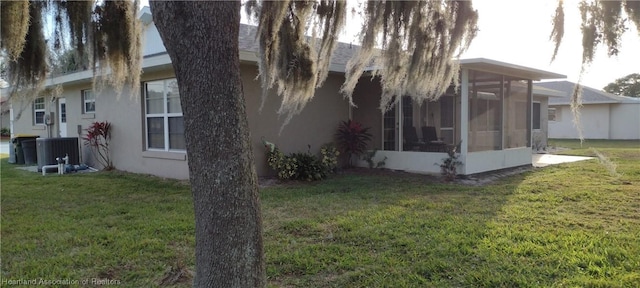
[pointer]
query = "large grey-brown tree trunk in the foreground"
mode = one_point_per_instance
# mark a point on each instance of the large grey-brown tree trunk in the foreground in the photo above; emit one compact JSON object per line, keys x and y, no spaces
{"x":202,"y":41}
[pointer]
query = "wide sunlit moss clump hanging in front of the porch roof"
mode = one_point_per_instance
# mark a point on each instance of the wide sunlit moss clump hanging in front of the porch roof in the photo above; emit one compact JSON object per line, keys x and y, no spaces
{"x":420,"y":41}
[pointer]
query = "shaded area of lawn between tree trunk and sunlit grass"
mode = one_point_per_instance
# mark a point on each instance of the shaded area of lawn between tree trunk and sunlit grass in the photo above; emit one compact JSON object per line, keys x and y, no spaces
{"x":380,"y":229}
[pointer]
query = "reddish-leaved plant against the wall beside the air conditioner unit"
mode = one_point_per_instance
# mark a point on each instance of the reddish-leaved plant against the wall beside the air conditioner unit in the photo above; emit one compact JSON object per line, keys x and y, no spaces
{"x":98,"y":137}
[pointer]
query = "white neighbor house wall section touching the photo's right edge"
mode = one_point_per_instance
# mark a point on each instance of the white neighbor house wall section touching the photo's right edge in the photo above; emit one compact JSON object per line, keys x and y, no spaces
{"x":625,"y":121}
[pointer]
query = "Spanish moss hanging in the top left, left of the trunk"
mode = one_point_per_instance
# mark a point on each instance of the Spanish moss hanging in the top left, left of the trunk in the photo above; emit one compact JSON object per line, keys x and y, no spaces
{"x":108,"y":31}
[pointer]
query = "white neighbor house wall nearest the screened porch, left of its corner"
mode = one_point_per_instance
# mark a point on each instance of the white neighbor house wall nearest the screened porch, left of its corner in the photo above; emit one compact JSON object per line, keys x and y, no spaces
{"x":594,"y":119}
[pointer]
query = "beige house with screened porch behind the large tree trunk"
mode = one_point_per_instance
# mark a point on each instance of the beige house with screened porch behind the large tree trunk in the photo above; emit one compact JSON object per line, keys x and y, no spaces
{"x":147,"y":134}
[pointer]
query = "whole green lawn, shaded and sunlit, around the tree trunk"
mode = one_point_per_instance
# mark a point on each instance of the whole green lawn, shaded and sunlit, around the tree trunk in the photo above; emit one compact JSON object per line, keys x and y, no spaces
{"x":571,"y":225}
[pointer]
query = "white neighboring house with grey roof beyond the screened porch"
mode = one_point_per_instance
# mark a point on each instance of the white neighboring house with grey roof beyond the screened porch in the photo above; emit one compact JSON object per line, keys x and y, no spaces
{"x":602,"y":116}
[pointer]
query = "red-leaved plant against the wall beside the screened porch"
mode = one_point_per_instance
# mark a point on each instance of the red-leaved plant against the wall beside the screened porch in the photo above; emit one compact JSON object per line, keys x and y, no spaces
{"x":352,"y":138}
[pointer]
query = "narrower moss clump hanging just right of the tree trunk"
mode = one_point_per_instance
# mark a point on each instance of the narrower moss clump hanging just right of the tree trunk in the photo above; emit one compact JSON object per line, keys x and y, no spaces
{"x":292,"y":63}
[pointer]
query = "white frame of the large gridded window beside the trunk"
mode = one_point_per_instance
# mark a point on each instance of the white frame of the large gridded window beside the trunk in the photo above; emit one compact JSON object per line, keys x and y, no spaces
{"x":164,"y":115}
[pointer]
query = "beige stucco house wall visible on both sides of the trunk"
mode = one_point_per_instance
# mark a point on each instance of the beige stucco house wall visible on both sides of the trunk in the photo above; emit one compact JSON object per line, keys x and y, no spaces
{"x":315,"y":126}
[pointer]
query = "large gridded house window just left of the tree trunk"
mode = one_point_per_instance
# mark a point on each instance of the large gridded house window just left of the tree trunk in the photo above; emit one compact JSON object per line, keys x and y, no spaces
{"x":163,"y":116}
